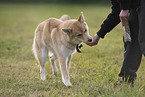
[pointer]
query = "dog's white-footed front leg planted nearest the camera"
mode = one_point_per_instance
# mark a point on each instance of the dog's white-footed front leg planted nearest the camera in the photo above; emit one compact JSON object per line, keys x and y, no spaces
{"x":64,"y":71}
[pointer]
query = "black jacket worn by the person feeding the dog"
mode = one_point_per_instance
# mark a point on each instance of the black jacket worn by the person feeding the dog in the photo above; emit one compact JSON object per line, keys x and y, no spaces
{"x":113,"y":18}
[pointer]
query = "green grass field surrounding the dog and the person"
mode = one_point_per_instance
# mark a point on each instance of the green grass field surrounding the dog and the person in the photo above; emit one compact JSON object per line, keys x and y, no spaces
{"x":93,"y":73}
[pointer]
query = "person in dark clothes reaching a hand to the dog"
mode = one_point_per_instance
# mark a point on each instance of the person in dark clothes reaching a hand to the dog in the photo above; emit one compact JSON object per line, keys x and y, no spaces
{"x":133,"y":52}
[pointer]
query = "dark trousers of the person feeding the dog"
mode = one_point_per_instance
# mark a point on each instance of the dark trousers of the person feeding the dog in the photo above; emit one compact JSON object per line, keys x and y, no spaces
{"x":133,"y":52}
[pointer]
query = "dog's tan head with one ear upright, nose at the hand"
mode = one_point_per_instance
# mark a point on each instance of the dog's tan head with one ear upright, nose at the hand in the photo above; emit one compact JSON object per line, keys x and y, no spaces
{"x":78,"y":31}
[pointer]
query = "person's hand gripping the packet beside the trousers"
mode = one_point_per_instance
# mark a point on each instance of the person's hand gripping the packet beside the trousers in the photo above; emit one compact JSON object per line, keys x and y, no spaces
{"x":124,"y":15}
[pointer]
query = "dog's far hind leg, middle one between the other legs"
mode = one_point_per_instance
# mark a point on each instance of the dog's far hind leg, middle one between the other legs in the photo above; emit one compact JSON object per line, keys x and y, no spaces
{"x":52,"y":59}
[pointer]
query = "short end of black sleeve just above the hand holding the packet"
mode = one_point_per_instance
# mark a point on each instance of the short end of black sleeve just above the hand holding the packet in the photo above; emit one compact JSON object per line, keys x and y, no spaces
{"x":125,"y":4}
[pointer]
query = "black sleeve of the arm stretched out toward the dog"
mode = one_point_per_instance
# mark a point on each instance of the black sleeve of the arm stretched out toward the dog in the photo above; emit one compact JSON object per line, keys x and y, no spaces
{"x":111,"y":21}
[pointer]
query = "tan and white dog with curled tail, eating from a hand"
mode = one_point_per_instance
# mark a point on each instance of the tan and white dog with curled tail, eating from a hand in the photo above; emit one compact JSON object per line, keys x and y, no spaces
{"x":57,"y":38}
